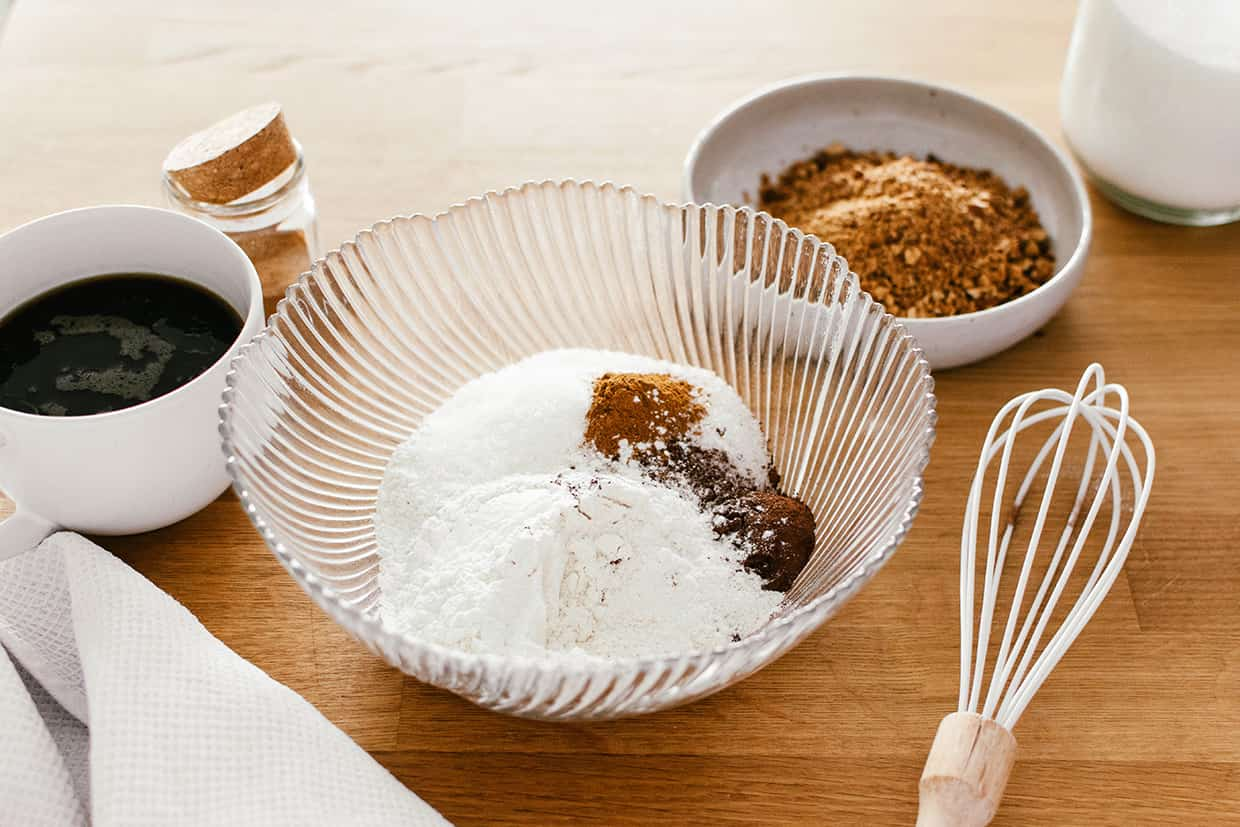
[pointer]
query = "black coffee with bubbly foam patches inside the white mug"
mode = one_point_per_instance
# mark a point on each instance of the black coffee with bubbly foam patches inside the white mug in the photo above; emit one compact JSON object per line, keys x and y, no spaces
{"x":111,"y":343}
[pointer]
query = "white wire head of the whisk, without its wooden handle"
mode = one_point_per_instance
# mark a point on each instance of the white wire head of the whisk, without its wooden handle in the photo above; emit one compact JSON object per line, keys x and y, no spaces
{"x":1019,"y":670}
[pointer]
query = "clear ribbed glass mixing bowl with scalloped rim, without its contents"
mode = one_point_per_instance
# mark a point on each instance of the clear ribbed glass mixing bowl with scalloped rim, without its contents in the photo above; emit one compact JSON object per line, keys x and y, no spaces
{"x":383,"y":332}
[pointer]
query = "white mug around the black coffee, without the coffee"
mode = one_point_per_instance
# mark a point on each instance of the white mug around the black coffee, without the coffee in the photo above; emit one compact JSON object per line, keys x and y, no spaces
{"x":141,"y":468}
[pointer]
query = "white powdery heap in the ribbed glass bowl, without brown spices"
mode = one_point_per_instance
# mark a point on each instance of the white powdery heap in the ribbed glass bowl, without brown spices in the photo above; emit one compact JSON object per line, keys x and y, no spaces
{"x":500,"y":533}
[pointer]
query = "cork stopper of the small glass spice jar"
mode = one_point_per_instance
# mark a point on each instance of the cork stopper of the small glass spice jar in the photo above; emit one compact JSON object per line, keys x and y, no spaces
{"x":235,"y":157}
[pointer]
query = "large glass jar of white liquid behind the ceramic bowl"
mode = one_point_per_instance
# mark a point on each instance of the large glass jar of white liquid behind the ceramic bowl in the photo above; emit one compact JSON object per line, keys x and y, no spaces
{"x":1151,"y":106}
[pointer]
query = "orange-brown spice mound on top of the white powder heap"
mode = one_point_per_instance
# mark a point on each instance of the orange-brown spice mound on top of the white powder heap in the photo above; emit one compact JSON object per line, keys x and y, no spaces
{"x":640,"y":410}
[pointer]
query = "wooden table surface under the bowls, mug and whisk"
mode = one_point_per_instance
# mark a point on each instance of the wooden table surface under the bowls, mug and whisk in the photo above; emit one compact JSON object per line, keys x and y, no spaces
{"x":406,"y":108}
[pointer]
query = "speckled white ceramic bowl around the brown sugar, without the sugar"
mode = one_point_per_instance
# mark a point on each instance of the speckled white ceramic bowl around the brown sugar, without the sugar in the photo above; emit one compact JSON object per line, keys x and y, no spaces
{"x":790,"y":121}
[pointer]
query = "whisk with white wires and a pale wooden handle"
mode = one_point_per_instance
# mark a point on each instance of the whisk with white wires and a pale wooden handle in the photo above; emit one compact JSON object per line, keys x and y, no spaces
{"x":974,"y":750}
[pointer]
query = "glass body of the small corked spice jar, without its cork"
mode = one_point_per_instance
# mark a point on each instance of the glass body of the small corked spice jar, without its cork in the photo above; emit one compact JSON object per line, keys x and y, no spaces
{"x":277,"y":225}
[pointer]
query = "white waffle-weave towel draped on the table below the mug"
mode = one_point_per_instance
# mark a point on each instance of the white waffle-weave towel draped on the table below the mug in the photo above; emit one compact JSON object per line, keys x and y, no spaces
{"x":117,"y":707}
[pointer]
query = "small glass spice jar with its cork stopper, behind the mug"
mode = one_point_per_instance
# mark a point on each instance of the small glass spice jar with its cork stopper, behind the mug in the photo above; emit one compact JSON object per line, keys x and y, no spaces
{"x":247,"y":178}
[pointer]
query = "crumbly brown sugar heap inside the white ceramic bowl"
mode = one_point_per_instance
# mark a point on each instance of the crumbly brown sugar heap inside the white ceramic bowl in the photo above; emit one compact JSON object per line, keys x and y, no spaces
{"x":926,"y":237}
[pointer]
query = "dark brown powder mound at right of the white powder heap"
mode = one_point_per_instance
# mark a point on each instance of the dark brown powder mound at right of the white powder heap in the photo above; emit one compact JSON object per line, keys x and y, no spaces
{"x":777,"y":530}
